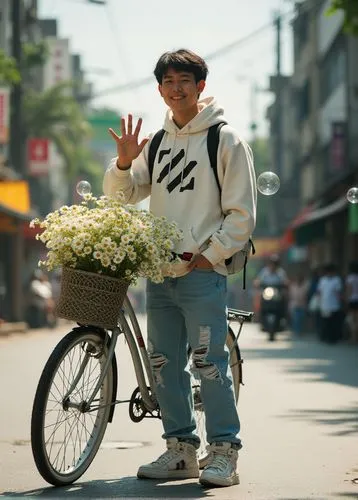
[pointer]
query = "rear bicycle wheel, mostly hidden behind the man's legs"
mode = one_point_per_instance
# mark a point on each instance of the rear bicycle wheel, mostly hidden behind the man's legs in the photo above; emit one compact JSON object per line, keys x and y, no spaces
{"x":235,"y":364}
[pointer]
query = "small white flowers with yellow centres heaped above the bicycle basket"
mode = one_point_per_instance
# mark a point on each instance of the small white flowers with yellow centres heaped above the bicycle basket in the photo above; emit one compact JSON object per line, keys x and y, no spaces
{"x":101,"y":235}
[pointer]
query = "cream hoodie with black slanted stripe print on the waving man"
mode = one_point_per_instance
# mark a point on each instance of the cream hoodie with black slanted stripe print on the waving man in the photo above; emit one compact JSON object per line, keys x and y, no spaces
{"x":184,"y":188}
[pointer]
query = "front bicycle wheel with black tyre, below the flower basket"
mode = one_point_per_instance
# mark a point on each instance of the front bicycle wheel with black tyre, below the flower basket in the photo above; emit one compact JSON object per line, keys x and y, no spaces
{"x":65,"y":435}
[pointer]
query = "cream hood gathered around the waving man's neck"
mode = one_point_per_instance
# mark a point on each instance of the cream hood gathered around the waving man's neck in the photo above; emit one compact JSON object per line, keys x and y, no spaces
{"x":209,"y":114}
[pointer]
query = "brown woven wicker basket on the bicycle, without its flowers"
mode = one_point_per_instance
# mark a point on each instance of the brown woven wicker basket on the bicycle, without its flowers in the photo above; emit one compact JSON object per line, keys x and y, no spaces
{"x":90,"y":298}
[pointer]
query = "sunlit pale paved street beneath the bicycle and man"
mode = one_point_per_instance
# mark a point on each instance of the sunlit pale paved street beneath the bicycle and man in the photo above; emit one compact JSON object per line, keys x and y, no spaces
{"x":299,"y":413}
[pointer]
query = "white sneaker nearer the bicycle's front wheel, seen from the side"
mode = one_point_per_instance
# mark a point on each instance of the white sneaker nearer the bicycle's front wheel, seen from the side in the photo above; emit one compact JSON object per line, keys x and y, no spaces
{"x":178,"y":462}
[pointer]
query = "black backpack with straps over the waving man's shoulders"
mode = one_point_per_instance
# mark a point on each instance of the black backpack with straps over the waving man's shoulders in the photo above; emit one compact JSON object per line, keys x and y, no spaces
{"x":239,"y":260}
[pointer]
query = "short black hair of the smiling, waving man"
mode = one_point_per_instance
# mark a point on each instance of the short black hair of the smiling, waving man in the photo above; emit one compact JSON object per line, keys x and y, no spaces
{"x":181,"y":60}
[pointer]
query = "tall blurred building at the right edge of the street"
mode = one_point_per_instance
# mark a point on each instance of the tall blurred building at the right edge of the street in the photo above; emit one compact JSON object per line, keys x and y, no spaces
{"x":325,"y":143}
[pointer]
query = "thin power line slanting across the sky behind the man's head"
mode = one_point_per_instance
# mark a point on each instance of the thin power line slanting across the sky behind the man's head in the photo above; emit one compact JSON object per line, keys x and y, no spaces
{"x":213,"y":55}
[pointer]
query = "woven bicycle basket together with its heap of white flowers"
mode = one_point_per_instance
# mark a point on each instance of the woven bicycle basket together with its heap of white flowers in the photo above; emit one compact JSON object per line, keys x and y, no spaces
{"x":102,"y":244}
